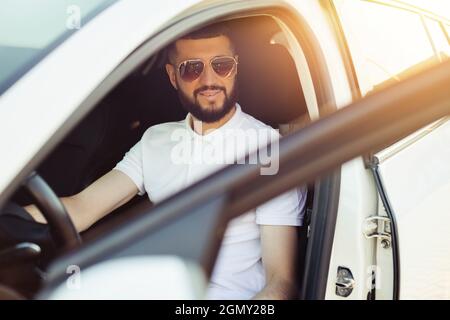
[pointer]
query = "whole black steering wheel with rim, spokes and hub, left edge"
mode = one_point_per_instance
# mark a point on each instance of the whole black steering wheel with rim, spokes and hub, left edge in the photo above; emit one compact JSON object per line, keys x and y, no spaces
{"x":22,"y":238}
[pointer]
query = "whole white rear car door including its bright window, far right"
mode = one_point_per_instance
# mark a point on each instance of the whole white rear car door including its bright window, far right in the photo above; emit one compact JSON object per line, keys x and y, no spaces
{"x":411,"y":175}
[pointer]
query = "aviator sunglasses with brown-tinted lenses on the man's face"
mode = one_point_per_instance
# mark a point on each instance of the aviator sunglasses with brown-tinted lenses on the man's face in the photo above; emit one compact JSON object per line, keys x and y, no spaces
{"x":192,"y":69}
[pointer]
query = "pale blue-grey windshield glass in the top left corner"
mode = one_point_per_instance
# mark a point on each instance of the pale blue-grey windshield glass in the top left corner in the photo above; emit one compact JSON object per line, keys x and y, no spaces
{"x":29,"y":31}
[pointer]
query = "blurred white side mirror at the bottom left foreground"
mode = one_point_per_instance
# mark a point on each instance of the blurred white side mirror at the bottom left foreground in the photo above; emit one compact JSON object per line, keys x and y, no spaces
{"x":137,"y":278}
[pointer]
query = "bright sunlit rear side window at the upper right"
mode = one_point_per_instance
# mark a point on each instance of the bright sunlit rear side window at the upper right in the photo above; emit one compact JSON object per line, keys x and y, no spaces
{"x":384,"y":42}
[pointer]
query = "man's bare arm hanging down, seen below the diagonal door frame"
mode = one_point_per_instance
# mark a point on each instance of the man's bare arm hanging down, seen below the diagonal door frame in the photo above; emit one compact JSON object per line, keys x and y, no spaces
{"x":279,"y":257}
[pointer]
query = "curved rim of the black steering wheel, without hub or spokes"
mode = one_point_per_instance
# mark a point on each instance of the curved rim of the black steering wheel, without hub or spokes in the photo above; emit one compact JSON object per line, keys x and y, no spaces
{"x":62,"y":229}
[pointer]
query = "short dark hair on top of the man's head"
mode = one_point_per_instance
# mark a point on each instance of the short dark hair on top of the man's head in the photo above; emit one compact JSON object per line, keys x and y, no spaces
{"x":210,"y":31}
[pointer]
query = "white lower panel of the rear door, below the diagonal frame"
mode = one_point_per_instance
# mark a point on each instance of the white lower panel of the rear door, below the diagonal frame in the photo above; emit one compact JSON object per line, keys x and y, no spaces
{"x":416,"y":179}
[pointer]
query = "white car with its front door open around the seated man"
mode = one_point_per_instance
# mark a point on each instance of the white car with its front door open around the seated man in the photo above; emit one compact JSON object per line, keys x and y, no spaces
{"x":362,"y":107}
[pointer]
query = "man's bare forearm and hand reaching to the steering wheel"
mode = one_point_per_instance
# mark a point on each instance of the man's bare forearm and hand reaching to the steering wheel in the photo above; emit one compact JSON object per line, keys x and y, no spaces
{"x":93,"y":203}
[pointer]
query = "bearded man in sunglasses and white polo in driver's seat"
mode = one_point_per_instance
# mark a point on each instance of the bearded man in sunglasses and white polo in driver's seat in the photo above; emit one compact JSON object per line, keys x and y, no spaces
{"x":257,"y":256}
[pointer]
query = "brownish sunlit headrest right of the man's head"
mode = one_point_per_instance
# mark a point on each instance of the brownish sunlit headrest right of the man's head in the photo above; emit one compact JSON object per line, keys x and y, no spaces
{"x":269,"y":87}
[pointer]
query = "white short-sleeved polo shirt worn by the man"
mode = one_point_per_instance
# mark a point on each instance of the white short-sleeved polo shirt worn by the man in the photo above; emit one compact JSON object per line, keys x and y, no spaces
{"x":171,"y":156}
